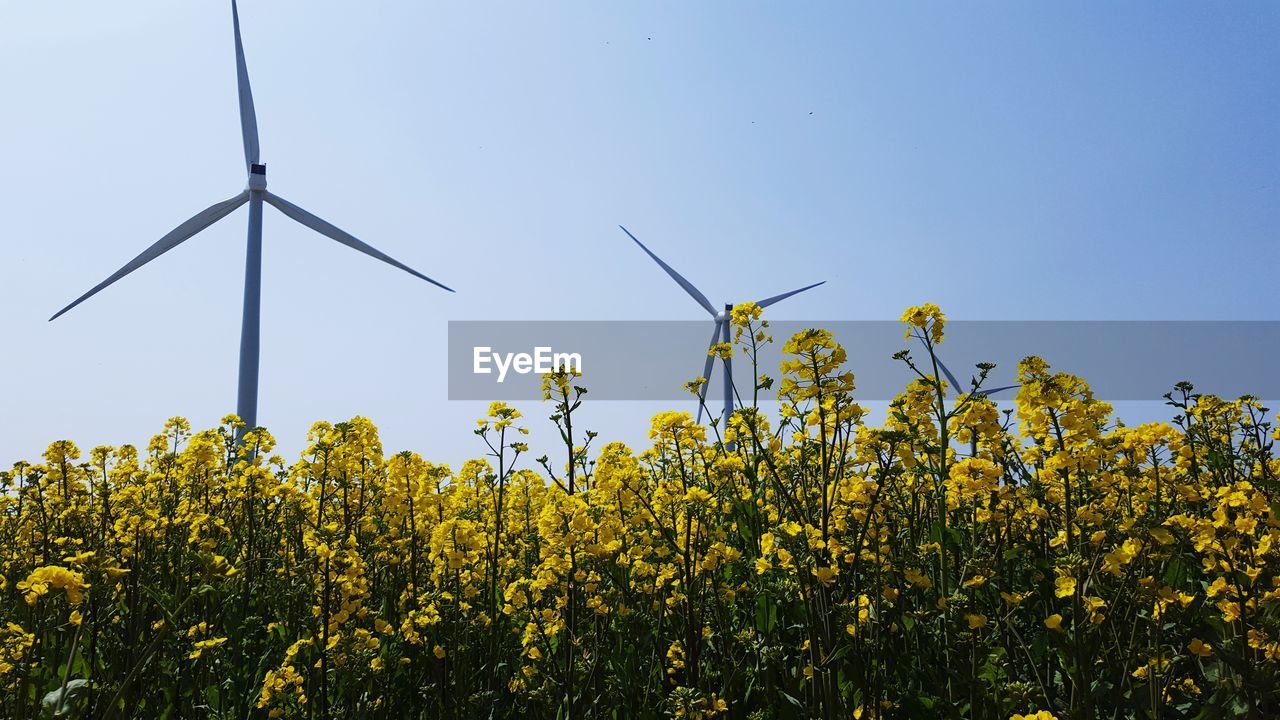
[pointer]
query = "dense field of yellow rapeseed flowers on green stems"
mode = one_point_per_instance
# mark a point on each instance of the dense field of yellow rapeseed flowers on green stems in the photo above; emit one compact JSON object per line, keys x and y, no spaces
{"x":958,"y":562}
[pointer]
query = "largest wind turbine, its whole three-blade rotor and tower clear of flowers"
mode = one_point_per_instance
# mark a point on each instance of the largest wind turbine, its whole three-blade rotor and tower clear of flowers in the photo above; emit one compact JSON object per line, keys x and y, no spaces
{"x":255,"y":194}
